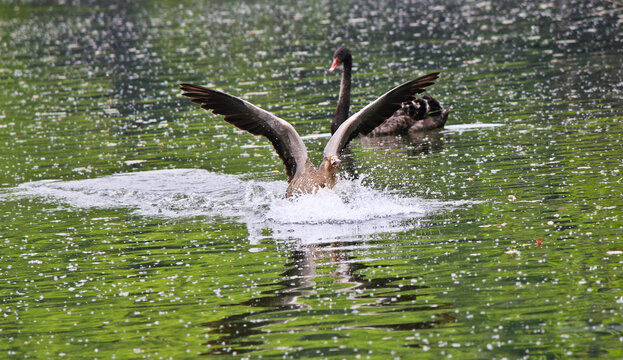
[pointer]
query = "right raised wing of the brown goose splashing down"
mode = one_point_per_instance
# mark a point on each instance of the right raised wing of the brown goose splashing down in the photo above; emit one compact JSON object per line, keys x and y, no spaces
{"x":375,"y":113}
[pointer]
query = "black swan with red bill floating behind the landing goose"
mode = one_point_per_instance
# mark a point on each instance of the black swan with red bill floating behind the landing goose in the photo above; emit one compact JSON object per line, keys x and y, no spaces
{"x":413,"y":115}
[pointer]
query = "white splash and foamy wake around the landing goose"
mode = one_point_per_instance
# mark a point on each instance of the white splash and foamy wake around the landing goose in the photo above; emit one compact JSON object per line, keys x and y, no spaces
{"x":347,"y":211}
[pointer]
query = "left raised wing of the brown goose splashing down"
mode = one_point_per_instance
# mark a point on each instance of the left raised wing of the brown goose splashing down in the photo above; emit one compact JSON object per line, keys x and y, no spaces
{"x":246,"y":116}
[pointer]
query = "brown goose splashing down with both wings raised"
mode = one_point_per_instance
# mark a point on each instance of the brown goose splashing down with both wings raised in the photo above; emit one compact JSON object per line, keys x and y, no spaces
{"x":303,"y":177}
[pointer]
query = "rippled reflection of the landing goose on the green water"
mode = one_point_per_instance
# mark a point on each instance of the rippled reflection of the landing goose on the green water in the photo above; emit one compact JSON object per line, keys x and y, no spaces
{"x":241,"y":333}
